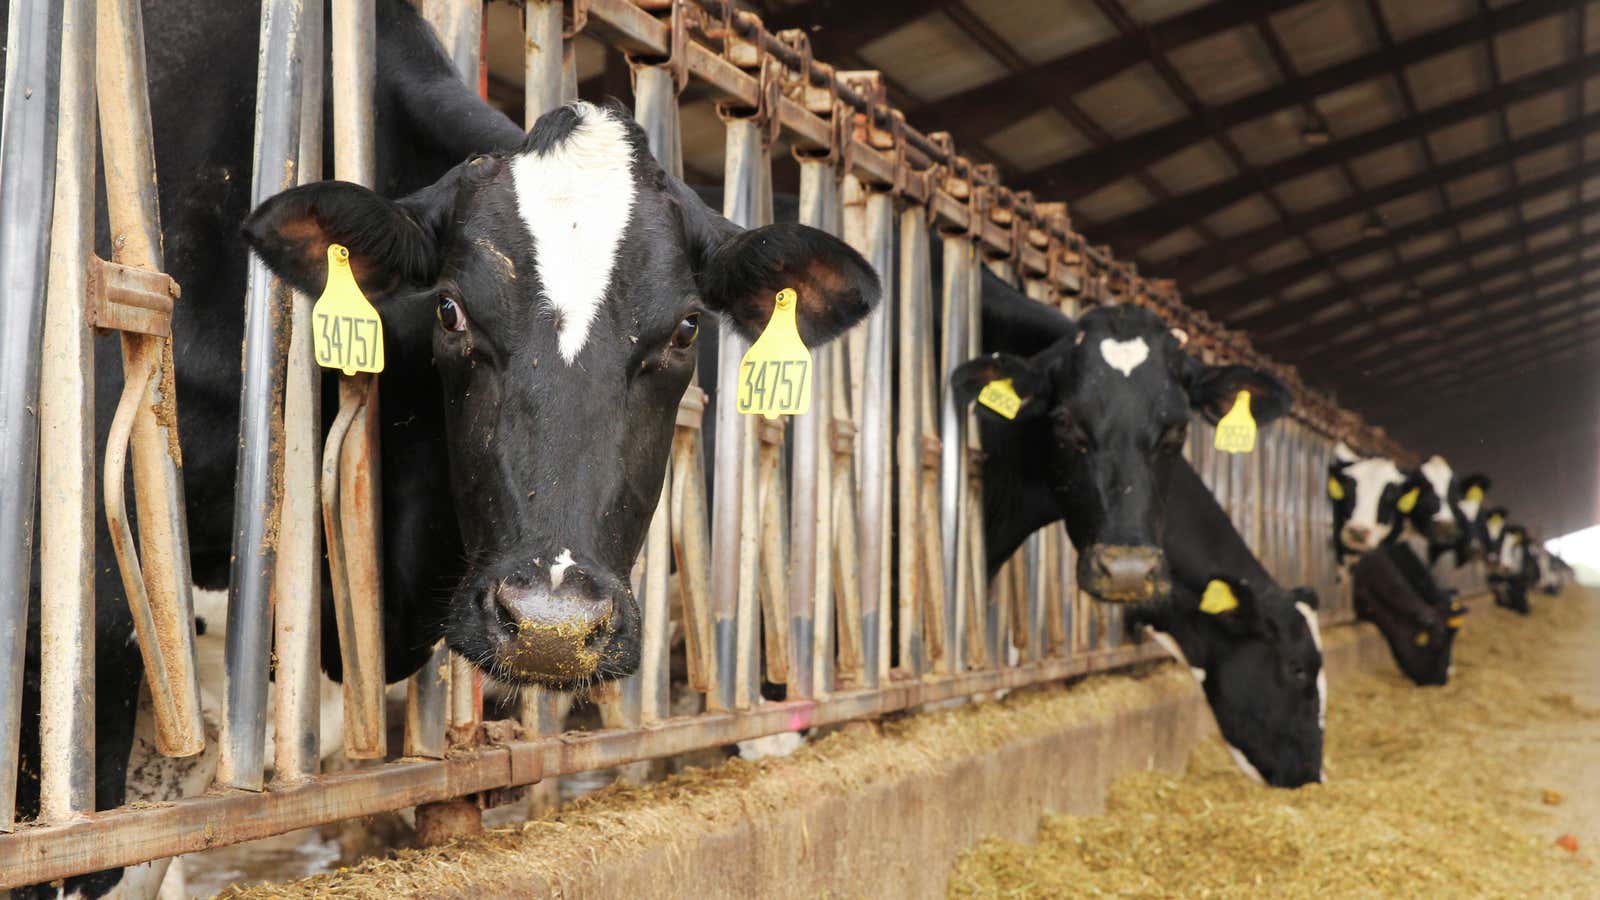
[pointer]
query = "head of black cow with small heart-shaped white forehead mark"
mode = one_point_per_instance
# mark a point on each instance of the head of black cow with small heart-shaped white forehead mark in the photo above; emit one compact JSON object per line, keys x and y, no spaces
{"x":1110,"y":404}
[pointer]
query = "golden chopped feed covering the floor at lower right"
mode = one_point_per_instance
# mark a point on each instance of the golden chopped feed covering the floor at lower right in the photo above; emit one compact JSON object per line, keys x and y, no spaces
{"x":1444,"y":792}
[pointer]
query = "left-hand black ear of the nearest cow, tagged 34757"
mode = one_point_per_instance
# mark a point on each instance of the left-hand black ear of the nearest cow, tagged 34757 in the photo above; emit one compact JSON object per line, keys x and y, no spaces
{"x":391,"y":243}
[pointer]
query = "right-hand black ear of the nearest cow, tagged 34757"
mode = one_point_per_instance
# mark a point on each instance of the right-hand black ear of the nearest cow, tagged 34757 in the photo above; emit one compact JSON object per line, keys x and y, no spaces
{"x":740,"y":273}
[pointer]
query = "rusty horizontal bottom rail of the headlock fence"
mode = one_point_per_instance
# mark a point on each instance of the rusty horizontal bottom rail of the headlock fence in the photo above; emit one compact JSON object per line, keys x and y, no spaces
{"x":130,"y":837}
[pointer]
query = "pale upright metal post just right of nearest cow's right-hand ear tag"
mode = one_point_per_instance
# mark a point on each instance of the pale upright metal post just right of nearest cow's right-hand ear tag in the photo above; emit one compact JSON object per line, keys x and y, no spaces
{"x":812,"y":574}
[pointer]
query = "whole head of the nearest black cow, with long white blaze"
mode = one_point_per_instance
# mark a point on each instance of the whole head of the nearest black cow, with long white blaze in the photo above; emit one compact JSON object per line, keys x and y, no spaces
{"x":559,"y":291}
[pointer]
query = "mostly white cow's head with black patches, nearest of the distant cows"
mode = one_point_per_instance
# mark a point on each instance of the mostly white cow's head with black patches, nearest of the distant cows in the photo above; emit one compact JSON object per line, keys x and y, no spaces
{"x":1370,"y":499}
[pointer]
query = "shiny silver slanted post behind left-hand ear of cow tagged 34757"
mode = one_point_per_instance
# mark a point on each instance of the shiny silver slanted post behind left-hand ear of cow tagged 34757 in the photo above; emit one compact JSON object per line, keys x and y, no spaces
{"x":257,"y":505}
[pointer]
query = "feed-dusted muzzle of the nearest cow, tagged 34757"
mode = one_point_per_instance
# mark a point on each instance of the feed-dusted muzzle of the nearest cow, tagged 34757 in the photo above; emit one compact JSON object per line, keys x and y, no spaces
{"x":564,"y":627}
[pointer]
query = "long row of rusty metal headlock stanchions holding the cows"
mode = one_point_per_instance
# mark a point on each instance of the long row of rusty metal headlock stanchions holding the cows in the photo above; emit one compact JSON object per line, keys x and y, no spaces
{"x":846,"y":548}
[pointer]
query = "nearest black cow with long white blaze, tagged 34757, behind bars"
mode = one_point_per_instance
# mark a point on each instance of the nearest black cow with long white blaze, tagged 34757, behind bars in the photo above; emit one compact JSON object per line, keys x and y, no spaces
{"x":542,"y":303}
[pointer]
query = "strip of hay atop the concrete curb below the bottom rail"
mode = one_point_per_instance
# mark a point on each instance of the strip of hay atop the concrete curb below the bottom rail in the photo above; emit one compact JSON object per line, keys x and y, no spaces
{"x":558,"y":853}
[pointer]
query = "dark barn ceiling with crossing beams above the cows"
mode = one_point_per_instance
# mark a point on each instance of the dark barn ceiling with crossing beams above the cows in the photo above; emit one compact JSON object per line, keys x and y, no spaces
{"x":1399,"y":198}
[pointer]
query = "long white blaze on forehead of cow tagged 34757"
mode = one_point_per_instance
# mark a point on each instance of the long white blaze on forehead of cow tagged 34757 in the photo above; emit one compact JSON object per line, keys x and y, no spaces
{"x":575,"y":199}
